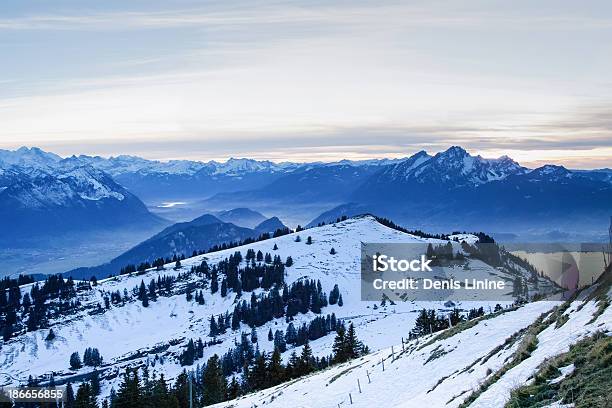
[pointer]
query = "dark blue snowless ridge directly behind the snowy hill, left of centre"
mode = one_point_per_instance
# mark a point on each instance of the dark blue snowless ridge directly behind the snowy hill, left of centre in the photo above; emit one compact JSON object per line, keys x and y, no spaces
{"x":182,"y":238}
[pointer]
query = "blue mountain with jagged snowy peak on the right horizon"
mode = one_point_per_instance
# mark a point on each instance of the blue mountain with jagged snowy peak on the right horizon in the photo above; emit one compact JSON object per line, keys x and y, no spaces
{"x":455,"y":190}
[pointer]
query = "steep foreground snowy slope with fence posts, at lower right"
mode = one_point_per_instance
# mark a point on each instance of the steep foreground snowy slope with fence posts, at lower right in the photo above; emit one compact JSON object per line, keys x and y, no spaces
{"x":441,"y":374}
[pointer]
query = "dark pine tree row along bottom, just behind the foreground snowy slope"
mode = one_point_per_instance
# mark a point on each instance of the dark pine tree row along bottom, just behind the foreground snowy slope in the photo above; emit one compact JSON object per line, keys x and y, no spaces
{"x":208,"y":384}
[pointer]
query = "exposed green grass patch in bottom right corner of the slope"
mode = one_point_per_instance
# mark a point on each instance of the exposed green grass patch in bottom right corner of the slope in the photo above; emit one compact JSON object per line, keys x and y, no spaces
{"x":588,"y":385}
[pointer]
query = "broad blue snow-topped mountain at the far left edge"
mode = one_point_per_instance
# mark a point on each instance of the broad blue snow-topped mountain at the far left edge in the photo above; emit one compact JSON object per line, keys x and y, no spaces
{"x":42,"y":195}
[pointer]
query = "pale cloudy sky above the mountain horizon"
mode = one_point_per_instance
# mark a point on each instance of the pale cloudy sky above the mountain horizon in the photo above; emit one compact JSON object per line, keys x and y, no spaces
{"x":308,"y":80}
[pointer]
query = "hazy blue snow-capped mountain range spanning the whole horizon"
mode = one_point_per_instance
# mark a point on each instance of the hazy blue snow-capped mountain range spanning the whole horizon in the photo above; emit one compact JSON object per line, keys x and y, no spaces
{"x":41,"y":192}
